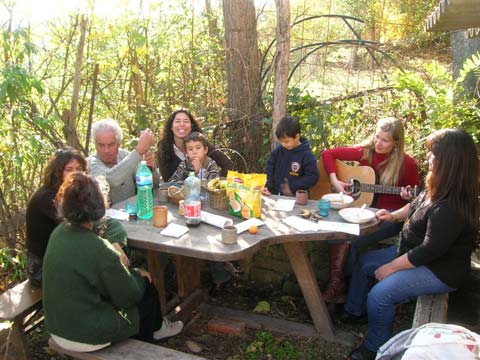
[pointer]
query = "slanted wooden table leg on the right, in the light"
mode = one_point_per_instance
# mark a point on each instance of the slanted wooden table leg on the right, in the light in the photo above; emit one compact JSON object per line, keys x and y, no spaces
{"x":308,"y":283}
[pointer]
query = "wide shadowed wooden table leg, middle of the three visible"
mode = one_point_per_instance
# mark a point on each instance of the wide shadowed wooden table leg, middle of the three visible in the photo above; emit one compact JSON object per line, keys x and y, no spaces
{"x":188,"y":275}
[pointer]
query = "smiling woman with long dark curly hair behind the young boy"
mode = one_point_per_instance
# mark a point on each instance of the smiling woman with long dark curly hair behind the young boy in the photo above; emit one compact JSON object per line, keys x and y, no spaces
{"x":171,"y":147}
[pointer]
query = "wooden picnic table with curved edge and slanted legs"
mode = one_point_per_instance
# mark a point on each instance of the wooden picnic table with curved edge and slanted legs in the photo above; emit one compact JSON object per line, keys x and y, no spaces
{"x":204,"y":242}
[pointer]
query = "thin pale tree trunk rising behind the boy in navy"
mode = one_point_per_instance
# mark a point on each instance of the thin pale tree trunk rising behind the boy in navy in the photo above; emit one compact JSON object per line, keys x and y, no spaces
{"x":281,"y":64}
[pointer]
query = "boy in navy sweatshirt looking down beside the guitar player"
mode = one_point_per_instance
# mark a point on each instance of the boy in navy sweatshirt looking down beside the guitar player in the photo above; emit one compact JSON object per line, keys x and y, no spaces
{"x":291,"y":166}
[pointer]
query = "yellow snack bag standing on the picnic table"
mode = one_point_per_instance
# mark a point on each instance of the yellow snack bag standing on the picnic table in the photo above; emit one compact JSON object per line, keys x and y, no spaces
{"x":244,"y":194}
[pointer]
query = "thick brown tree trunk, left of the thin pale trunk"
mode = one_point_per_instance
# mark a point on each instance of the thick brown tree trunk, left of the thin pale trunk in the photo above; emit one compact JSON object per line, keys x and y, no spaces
{"x":244,"y":101}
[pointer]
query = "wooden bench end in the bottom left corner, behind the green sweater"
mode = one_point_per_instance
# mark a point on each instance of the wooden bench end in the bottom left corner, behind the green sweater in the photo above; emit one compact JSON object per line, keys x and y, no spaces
{"x":19,"y":305}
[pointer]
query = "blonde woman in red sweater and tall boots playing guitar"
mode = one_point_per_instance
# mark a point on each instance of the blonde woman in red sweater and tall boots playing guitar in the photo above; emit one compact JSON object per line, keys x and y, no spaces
{"x":384,"y":152}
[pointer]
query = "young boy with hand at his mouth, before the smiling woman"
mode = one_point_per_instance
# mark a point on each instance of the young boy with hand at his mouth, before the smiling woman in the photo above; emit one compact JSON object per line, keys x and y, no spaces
{"x":197,"y":160}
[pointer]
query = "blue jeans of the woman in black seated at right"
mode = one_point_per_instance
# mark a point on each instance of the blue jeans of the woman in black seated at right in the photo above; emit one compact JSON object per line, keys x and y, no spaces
{"x":378,"y":300}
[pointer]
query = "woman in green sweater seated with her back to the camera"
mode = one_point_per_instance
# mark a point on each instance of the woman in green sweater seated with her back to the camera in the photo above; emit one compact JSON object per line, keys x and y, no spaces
{"x":90,"y":298}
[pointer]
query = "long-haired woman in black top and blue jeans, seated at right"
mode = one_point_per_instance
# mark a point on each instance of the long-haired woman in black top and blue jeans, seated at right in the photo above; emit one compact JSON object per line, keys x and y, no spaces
{"x":437,"y":240}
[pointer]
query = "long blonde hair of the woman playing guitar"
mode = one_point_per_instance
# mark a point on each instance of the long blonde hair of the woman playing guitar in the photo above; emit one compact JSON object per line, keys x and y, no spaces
{"x":390,"y":170}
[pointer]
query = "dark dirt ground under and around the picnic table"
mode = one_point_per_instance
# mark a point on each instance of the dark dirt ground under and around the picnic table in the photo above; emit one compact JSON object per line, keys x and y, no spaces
{"x":464,"y":309}
